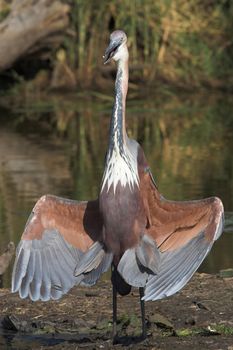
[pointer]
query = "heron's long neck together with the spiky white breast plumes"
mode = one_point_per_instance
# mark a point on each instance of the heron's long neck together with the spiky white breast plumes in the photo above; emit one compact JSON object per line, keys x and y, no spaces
{"x":121,"y":163}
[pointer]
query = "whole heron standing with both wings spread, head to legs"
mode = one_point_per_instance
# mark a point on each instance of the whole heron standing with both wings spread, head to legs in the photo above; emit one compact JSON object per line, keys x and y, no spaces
{"x":150,"y":242}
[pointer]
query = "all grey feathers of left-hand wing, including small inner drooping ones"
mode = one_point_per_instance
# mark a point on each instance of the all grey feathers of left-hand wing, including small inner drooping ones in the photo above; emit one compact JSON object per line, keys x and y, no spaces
{"x":45,"y":269}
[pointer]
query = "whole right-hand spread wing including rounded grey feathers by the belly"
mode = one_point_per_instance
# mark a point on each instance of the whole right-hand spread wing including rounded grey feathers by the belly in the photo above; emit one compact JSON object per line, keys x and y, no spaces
{"x":176,"y":240}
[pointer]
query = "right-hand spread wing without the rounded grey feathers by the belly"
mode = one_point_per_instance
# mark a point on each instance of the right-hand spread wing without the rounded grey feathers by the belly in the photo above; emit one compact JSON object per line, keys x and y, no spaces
{"x":184,"y":233}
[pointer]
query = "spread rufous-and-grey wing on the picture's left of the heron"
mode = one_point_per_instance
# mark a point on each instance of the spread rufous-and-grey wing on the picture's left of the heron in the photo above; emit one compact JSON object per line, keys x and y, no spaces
{"x":61,"y":237}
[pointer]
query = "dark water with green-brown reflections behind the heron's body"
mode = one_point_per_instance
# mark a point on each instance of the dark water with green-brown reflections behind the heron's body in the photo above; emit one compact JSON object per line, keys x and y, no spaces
{"x":58,"y":145}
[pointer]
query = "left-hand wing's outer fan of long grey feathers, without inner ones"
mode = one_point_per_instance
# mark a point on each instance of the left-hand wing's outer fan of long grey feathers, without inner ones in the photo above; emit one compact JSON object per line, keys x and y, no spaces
{"x":44,"y":269}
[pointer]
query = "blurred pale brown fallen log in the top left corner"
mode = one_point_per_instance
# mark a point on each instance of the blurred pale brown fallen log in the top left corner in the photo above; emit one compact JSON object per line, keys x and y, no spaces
{"x":31,"y":26}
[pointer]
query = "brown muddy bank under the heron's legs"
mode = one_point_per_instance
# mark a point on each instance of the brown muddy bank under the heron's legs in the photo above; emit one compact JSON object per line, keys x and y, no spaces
{"x":199,"y":317}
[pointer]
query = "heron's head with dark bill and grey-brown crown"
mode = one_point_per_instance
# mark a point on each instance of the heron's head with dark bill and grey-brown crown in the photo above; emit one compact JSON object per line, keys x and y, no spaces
{"x":117,"y":48}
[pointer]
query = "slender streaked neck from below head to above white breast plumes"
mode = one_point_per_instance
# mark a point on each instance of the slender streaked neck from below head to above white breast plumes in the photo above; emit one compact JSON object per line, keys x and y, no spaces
{"x":117,"y":127}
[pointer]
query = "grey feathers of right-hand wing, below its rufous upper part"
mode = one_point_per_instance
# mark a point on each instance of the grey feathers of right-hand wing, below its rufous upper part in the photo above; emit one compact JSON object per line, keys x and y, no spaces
{"x":173,"y":270}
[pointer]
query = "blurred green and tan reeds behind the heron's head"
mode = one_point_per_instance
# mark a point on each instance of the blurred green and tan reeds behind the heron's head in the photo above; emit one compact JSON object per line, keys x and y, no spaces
{"x":188,"y":43}
